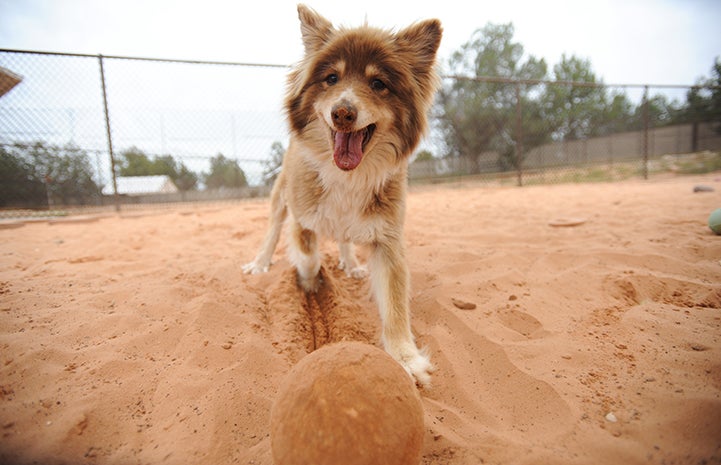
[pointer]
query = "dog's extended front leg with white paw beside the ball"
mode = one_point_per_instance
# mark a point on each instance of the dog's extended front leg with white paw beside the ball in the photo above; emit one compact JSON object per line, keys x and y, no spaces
{"x":390,"y":281}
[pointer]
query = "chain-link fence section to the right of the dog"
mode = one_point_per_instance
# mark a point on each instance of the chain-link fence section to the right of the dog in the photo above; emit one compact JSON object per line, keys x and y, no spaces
{"x":526,"y":132}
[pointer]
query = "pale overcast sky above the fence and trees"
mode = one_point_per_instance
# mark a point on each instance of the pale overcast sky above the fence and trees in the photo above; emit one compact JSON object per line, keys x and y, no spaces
{"x":627,"y":41}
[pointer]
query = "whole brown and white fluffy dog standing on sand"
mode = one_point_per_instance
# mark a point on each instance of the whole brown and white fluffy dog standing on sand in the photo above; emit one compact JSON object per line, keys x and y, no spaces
{"x":357,"y":105}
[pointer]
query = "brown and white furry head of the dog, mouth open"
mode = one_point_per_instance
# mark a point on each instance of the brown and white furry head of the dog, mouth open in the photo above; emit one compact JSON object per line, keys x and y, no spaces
{"x":363,"y":91}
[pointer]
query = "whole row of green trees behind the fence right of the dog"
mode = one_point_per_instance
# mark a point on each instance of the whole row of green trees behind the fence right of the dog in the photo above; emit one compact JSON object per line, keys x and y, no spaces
{"x":504,"y":102}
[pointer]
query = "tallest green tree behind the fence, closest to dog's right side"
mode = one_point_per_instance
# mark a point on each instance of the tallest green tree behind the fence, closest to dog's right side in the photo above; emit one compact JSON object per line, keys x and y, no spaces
{"x":478,"y":115}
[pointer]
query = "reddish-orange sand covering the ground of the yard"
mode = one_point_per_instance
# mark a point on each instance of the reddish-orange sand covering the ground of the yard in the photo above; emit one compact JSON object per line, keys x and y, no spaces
{"x":135,"y":339}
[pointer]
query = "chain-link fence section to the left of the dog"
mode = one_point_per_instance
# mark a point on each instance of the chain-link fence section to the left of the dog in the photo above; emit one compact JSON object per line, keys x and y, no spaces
{"x":174,"y":130}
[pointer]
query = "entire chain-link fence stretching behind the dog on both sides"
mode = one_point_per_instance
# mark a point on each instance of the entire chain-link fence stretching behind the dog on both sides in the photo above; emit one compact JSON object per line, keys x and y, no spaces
{"x":177,"y":130}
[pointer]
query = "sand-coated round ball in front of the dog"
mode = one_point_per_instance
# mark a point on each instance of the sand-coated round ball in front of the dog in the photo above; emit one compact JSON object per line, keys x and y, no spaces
{"x":347,"y":403}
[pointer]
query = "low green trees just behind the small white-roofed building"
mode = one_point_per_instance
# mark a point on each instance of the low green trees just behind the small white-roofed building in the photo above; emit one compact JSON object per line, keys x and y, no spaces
{"x":134,"y":162}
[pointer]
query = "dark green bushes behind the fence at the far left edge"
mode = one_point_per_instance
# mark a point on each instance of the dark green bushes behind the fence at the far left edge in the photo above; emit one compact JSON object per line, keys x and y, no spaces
{"x":40,"y":174}
